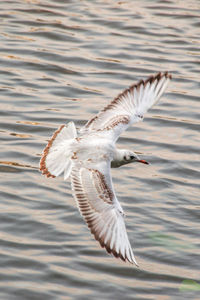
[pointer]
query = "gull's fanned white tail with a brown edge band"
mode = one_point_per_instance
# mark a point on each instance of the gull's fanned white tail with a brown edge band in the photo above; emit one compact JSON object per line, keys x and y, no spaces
{"x":56,"y":157}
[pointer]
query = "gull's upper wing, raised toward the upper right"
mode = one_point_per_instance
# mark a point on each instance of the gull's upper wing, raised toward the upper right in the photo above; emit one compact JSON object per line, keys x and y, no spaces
{"x":129,"y":107}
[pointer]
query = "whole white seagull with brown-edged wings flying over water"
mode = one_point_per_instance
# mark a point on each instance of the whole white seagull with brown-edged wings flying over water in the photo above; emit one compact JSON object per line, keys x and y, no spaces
{"x":88,"y":154}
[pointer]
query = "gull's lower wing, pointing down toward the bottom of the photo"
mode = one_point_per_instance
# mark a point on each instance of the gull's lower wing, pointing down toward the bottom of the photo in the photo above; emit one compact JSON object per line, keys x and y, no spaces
{"x":95,"y":197}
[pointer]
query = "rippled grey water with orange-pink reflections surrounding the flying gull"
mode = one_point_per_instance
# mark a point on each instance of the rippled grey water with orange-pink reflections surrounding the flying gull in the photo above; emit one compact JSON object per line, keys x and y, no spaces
{"x":63,"y":61}
